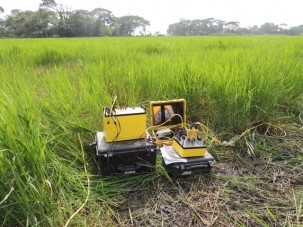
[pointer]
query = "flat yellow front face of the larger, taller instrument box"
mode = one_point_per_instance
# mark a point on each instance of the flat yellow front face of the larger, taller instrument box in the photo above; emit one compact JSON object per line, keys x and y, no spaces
{"x":130,"y":126}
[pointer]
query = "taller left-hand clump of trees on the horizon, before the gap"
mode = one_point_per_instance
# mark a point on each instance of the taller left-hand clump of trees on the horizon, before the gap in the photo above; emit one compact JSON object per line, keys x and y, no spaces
{"x":55,"y":19}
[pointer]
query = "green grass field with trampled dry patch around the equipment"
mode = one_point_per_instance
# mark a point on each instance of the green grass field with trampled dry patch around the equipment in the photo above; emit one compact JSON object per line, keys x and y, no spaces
{"x":52,"y":92}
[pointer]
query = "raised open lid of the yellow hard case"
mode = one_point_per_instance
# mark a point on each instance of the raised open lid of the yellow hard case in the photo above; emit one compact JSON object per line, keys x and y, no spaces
{"x":170,"y":114}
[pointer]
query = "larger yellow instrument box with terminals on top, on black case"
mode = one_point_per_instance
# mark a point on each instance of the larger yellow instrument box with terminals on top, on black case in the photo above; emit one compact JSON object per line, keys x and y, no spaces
{"x":124,"y":124}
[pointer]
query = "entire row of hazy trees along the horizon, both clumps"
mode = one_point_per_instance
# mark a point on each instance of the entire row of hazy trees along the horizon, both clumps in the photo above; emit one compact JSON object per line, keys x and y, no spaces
{"x":55,"y":19}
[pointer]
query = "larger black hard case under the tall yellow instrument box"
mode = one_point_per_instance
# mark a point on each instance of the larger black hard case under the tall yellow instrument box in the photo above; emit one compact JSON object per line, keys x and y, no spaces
{"x":124,"y":157}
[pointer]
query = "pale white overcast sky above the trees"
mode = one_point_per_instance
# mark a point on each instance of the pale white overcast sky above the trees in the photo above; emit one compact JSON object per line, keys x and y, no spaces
{"x":162,"y":13}
